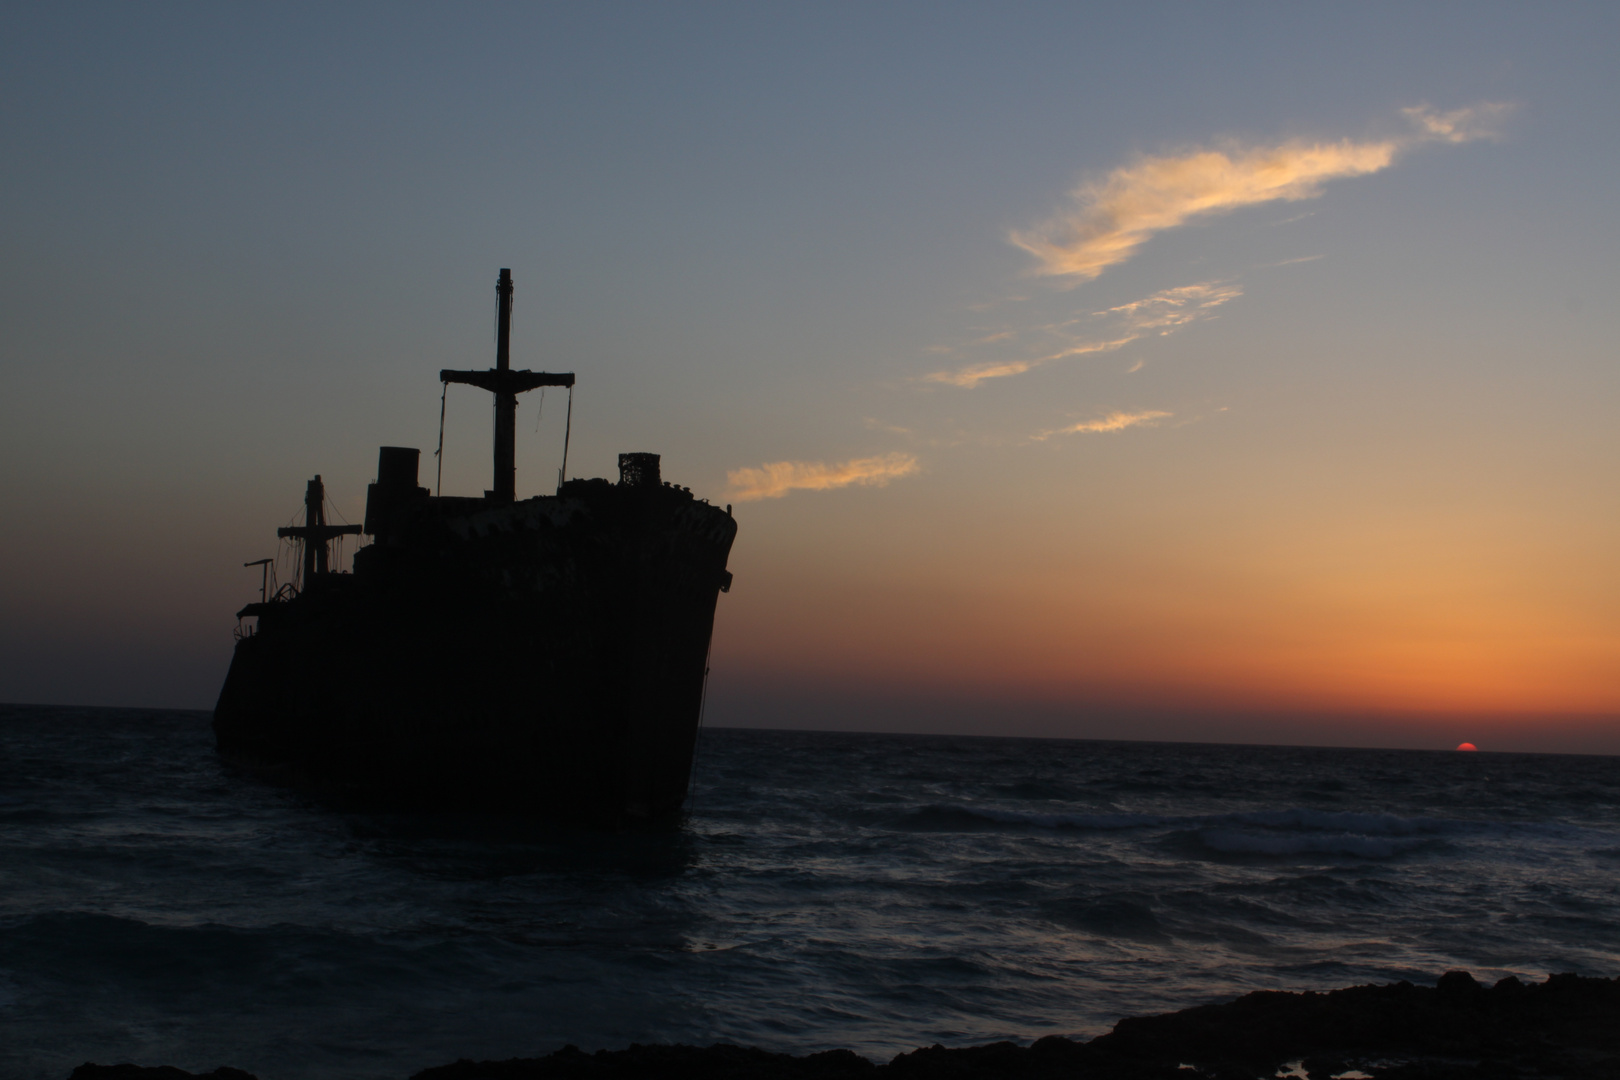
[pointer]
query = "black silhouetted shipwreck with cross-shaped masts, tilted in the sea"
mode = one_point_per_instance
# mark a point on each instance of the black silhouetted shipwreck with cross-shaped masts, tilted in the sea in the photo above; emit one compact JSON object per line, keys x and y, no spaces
{"x":488,"y":653}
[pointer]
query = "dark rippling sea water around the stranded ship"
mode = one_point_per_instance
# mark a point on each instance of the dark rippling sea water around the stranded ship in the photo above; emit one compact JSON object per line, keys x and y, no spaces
{"x":866,"y":891}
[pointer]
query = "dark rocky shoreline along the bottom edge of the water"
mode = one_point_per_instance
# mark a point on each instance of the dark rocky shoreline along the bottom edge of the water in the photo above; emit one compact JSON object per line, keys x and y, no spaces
{"x":1564,"y":1029}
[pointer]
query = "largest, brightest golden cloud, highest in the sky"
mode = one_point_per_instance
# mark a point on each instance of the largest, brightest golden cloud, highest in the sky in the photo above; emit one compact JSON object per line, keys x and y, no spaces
{"x":1112,"y":218}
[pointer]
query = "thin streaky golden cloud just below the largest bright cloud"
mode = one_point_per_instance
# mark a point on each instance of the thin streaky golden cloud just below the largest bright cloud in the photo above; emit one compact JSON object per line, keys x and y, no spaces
{"x":1098,"y":333}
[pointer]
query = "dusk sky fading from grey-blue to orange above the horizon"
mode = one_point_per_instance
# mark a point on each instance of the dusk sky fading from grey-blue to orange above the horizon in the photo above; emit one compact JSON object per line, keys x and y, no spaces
{"x":1224,"y":373}
